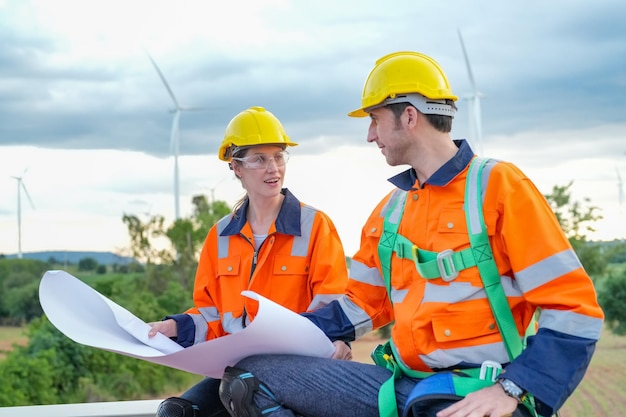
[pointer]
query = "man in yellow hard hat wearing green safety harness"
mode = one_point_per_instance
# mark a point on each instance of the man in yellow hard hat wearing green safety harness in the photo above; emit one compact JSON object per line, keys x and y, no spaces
{"x":462,"y":256}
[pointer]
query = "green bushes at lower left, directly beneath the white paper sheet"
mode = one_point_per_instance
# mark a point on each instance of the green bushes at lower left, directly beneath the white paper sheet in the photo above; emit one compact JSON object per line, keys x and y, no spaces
{"x":53,"y":369}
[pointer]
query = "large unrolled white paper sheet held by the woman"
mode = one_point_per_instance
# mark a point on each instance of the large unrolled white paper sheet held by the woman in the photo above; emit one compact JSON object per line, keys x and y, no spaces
{"x":87,"y":317}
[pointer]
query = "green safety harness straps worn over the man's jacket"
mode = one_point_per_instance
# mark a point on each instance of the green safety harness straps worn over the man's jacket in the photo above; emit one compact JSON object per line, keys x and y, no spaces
{"x":446,"y":265}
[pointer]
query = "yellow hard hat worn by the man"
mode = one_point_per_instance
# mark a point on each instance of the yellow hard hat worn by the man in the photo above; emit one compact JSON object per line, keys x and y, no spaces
{"x":406,"y":73}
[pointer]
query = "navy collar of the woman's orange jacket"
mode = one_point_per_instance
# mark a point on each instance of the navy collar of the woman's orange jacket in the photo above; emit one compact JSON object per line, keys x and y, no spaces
{"x":287,"y":222}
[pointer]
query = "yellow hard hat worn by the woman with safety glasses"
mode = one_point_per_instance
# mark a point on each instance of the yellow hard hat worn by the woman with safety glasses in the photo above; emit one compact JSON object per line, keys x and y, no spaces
{"x":254,"y":126}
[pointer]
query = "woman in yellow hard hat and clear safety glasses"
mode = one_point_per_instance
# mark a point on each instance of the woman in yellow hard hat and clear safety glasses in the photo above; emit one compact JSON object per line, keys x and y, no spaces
{"x":271,"y":244}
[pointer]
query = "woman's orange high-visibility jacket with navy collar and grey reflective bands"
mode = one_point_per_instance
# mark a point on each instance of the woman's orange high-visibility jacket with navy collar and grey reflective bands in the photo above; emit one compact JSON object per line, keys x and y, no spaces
{"x":300,"y":265}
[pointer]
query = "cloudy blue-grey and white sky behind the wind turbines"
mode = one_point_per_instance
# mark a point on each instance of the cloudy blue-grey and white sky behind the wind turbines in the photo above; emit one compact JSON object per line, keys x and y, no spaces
{"x":85,"y":119}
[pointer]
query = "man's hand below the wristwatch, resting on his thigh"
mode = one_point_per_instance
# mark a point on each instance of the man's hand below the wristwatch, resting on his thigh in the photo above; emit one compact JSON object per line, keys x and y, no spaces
{"x":491,"y":401}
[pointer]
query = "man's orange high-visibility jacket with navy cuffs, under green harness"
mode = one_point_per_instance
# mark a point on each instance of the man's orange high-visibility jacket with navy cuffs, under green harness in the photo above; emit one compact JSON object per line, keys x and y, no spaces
{"x":439,"y":324}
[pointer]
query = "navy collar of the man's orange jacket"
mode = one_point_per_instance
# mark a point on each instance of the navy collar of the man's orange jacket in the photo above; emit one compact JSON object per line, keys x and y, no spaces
{"x":407,"y":180}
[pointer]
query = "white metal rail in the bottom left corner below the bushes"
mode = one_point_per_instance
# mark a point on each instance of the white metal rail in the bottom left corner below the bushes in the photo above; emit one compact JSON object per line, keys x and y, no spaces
{"x":143,"y":408}
